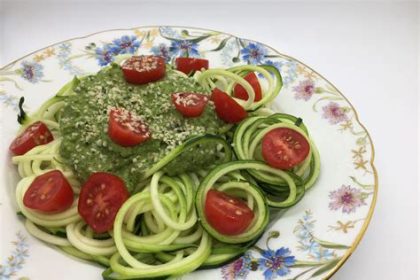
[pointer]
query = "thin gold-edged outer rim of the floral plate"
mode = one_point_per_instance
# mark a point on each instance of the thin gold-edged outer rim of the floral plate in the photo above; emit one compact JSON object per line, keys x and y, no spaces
{"x":369,"y":216}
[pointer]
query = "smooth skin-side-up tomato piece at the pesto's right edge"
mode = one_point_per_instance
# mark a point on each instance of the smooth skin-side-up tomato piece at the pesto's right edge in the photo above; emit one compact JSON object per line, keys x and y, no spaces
{"x":227,"y":108}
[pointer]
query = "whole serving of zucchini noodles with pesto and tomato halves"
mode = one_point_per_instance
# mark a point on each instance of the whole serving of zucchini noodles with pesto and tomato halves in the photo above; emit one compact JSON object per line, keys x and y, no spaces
{"x":153,"y":170}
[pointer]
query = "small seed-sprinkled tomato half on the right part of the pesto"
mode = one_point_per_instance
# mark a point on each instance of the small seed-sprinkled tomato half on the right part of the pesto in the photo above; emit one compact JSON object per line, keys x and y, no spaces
{"x":189,"y":104}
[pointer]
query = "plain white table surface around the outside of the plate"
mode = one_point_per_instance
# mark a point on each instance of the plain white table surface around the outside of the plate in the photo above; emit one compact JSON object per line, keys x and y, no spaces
{"x":368,"y":50}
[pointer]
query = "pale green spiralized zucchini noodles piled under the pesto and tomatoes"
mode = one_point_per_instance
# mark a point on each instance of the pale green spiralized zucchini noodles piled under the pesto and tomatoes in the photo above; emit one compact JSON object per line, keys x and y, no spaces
{"x":162,"y":230}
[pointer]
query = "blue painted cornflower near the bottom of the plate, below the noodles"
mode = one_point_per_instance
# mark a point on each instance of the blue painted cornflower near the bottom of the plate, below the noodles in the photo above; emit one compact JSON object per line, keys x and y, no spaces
{"x":276,"y":263}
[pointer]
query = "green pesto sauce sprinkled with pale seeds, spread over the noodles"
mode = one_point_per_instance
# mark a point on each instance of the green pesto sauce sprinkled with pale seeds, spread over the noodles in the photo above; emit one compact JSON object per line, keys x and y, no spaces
{"x":84,"y":125}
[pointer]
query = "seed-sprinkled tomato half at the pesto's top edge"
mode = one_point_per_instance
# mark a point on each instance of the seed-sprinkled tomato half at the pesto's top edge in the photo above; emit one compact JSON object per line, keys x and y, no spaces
{"x":144,"y":69}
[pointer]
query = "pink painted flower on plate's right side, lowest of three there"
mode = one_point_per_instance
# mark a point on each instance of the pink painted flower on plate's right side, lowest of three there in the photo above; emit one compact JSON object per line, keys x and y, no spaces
{"x":346,"y":198}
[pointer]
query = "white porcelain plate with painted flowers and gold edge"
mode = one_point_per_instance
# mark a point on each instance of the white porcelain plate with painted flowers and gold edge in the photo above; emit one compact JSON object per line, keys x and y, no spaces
{"x":317,"y":235}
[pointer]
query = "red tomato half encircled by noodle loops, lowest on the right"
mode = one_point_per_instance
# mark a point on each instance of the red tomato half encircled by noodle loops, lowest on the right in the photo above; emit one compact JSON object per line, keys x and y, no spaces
{"x":226,"y":214}
